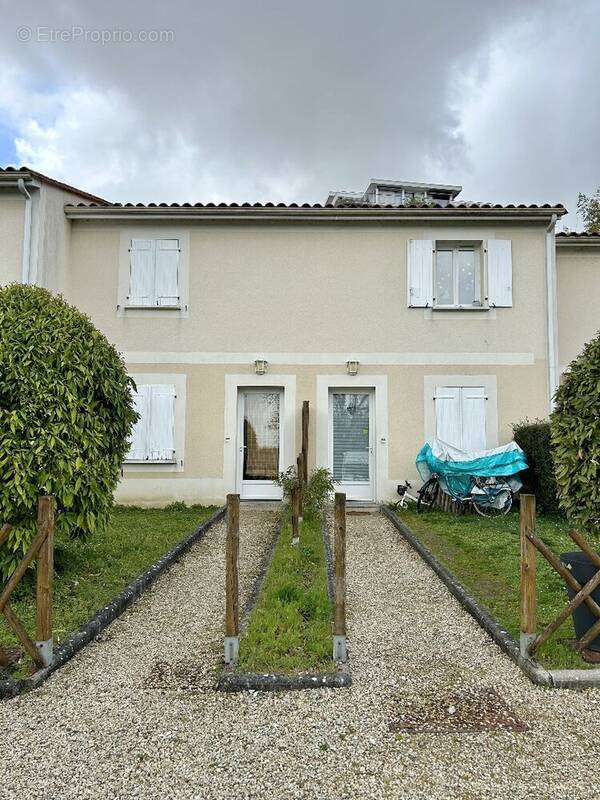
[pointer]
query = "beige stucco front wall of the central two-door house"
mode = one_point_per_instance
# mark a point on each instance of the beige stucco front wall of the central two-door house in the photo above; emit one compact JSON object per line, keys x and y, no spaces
{"x":307,"y":297}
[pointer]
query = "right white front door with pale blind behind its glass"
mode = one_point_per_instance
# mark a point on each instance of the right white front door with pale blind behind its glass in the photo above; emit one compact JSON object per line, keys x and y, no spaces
{"x":351,"y":442}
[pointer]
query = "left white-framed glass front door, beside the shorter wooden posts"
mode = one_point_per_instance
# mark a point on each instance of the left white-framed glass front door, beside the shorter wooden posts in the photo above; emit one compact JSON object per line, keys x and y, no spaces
{"x":259,"y":443}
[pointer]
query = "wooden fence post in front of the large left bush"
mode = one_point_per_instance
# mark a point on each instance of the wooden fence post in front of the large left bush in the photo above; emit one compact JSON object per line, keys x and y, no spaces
{"x":45,"y":579}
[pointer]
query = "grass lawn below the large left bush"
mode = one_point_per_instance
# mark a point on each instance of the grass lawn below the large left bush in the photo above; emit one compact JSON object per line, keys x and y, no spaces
{"x":90,"y":572}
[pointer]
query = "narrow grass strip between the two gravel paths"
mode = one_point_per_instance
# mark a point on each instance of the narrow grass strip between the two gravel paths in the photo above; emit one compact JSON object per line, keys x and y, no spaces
{"x":289,"y":630}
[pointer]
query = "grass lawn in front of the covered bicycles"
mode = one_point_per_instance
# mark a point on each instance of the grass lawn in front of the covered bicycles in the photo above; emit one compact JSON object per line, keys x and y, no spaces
{"x":484,"y":555}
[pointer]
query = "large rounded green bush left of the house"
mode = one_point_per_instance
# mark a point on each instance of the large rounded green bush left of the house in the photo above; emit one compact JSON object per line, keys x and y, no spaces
{"x":66,"y":413}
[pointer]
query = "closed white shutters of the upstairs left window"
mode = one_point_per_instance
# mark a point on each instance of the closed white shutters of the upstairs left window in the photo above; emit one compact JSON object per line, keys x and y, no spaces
{"x":154,"y":273}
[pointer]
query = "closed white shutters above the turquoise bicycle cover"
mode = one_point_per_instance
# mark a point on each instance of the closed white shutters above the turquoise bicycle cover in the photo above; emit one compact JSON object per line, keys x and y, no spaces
{"x":460,"y":416}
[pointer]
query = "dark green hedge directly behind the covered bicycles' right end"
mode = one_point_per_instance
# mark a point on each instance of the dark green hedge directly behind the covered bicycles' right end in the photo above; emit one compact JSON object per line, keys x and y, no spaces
{"x":533,"y":436}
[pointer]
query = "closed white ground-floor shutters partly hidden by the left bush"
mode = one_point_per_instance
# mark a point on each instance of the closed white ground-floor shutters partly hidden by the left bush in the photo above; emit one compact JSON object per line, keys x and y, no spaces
{"x":153,"y":437}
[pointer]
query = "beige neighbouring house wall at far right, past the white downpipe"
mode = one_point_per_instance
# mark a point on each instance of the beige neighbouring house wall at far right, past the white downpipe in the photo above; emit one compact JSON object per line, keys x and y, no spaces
{"x":578,"y":269}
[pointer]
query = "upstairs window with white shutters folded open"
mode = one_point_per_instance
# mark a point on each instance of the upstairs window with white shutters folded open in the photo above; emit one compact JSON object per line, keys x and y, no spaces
{"x":459,"y":275}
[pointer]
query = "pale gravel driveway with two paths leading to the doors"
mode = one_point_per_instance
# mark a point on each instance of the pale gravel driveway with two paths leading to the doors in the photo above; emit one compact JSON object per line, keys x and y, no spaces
{"x":135,"y":715}
